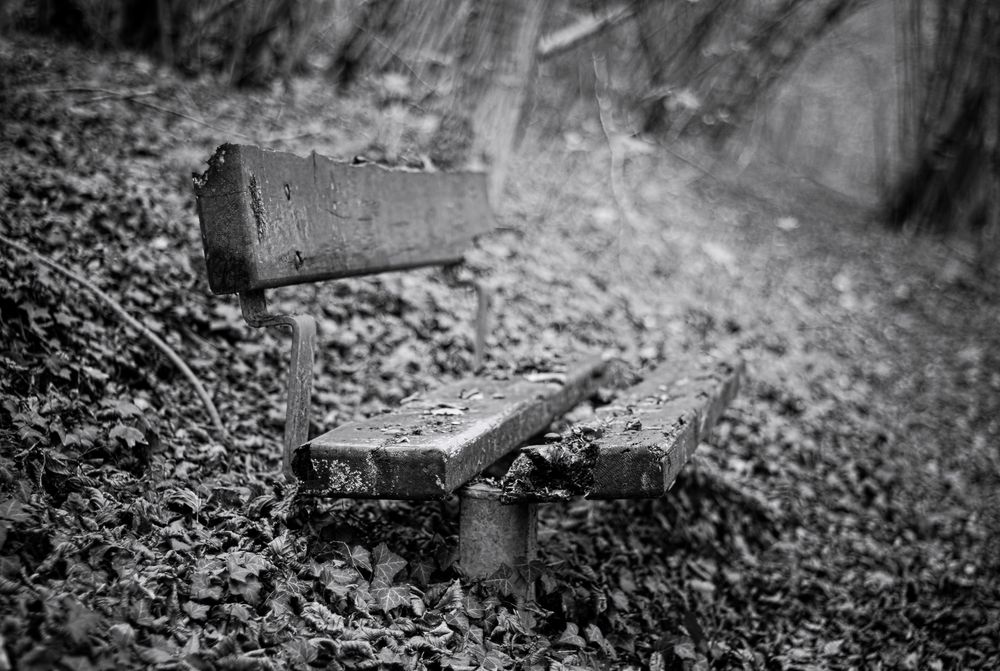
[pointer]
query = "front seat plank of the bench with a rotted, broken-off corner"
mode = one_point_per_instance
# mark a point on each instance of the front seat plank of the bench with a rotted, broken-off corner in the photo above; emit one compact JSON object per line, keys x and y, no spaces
{"x":649,"y":432}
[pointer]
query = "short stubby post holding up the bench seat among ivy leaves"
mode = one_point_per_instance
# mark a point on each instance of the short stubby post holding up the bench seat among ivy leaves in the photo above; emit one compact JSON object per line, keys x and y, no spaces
{"x":492,"y":534}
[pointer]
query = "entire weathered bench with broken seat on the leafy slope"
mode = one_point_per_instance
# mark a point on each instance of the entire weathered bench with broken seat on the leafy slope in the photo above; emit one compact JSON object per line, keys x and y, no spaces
{"x":272,"y":219}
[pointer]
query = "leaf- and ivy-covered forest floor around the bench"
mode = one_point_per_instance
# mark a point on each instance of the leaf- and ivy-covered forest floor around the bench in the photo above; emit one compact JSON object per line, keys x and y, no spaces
{"x":846,"y":513}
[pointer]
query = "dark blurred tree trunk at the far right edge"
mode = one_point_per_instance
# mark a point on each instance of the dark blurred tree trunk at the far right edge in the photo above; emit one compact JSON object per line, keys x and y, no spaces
{"x":951,"y":121}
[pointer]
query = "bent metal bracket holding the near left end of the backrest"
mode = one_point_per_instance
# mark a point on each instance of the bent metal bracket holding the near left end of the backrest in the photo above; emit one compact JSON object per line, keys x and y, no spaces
{"x":254,"y":306}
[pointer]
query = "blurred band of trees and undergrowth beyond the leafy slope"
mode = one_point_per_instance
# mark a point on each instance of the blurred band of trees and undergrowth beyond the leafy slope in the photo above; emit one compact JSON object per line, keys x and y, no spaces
{"x":891,"y":102}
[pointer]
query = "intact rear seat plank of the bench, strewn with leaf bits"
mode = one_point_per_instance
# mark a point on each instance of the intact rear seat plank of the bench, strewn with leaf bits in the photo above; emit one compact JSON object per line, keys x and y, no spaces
{"x":439,"y":441}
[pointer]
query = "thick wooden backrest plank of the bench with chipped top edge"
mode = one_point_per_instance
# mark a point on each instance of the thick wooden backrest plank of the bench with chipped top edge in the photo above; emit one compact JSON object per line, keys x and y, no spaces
{"x":271,"y":219}
